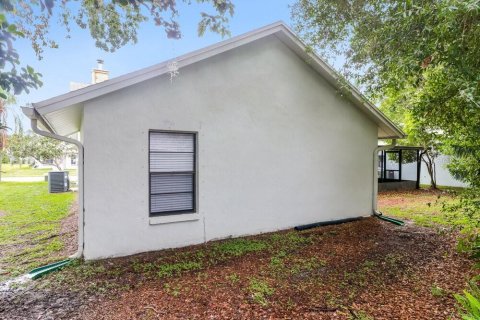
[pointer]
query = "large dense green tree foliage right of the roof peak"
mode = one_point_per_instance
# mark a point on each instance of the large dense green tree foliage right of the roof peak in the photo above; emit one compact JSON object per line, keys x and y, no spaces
{"x":422,"y":54}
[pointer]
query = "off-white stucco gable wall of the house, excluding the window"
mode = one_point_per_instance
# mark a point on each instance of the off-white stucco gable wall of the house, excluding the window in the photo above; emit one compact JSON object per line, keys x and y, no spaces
{"x":277,"y":147}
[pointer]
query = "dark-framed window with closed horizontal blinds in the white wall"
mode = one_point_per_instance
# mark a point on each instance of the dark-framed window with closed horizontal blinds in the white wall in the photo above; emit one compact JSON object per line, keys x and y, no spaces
{"x":172,"y":172}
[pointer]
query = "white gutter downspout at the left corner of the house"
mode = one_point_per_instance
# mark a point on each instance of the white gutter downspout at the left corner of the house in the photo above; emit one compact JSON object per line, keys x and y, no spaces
{"x":31,"y":113}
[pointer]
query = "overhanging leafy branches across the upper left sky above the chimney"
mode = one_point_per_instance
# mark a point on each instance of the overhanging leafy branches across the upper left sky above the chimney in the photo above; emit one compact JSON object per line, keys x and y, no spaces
{"x":111,"y":23}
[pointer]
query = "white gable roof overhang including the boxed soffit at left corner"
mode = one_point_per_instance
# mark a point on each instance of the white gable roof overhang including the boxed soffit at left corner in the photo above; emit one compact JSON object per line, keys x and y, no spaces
{"x":63,"y":113}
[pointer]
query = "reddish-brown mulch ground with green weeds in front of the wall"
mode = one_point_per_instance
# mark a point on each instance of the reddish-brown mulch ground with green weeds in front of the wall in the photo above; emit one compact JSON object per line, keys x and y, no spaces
{"x":349,"y":271}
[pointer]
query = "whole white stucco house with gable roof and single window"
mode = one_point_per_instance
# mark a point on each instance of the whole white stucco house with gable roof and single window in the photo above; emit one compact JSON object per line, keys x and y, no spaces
{"x":251,"y":136}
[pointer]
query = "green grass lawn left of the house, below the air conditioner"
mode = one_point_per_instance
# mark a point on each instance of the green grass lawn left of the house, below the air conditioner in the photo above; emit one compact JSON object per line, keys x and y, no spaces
{"x":30,"y":222}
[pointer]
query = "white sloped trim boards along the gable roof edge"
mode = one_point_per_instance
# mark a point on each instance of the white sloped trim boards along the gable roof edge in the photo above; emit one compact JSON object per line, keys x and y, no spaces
{"x":282,"y":31}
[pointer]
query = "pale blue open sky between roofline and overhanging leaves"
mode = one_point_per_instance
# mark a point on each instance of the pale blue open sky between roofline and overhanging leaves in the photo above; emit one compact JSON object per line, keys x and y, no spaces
{"x":76,"y":57}
